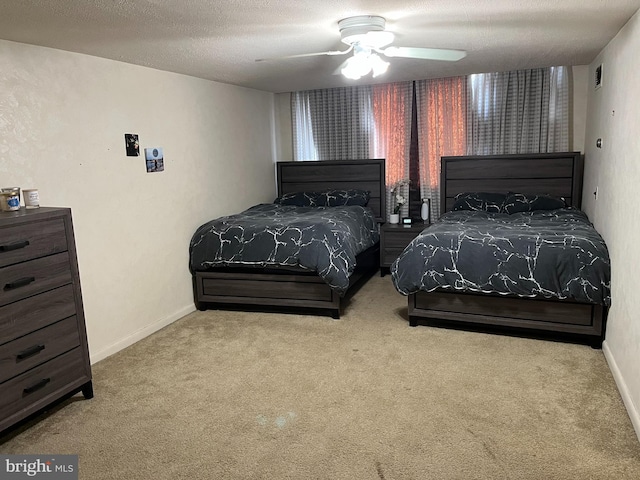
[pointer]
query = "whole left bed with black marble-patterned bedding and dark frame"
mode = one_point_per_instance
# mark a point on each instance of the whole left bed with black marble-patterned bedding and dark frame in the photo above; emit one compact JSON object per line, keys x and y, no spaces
{"x":270,"y":283}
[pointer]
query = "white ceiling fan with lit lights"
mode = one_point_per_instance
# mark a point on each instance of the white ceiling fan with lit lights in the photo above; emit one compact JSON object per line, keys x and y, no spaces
{"x":367,"y":38}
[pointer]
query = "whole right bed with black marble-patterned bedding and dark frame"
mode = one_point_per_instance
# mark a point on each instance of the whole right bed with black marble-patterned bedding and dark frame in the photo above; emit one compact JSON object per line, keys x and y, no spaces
{"x":456,"y":272}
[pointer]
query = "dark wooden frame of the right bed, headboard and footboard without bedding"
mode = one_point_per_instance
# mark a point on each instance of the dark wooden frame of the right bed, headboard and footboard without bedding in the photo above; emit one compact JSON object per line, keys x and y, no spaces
{"x":557,"y":174}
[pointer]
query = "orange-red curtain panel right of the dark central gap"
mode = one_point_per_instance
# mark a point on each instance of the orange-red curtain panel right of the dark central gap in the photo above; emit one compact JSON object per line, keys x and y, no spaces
{"x":441,"y":112}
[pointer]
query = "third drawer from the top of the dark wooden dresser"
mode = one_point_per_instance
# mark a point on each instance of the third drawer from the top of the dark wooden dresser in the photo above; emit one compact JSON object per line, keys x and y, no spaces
{"x":25,"y":316}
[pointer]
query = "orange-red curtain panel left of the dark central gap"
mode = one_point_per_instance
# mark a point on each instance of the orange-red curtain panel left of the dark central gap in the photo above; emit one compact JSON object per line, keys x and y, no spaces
{"x":392,"y":137}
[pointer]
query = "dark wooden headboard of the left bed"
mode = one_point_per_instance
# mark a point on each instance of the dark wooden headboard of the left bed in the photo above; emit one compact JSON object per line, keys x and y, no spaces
{"x":340,"y":174}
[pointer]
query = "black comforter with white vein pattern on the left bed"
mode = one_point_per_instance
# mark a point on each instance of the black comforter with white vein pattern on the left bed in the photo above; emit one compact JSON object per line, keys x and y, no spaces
{"x":325,"y":240}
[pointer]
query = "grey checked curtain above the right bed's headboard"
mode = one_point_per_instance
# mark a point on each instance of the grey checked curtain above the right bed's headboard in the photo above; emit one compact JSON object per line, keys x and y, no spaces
{"x":524,"y":111}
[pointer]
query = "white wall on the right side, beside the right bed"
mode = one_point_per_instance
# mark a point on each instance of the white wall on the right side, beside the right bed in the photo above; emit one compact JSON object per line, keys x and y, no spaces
{"x":614,"y":116}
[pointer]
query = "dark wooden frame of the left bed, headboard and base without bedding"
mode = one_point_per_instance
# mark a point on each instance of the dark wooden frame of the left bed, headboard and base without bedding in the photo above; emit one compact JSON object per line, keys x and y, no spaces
{"x":285,"y":289}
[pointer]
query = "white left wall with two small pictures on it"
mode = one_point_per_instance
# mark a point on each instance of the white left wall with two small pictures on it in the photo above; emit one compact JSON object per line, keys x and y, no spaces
{"x":63,"y":117}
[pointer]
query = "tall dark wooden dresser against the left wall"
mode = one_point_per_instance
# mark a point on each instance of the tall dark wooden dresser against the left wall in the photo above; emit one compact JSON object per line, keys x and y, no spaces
{"x":43,"y":342}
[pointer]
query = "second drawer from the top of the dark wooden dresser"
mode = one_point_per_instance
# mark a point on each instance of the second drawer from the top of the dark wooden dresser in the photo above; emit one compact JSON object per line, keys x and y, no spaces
{"x":33,"y":277}
